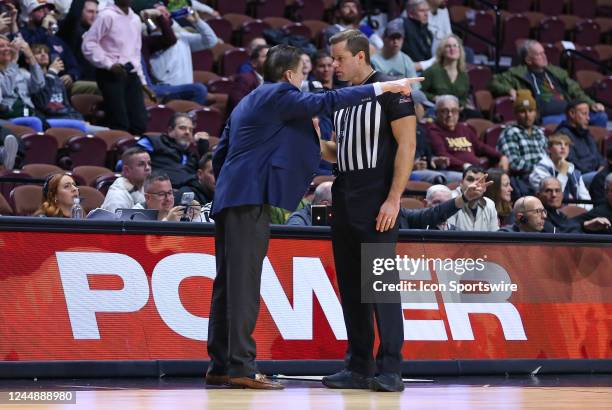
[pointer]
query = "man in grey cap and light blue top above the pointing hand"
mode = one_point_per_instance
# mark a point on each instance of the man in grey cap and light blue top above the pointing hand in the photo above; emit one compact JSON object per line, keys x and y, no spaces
{"x":391,"y":60}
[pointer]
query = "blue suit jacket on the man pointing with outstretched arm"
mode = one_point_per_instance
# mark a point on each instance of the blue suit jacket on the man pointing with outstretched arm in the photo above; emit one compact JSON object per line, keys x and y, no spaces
{"x":269,"y":151}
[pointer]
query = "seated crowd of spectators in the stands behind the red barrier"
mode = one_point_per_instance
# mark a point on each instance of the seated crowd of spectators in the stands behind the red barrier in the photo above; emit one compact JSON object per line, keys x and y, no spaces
{"x":547,"y":167}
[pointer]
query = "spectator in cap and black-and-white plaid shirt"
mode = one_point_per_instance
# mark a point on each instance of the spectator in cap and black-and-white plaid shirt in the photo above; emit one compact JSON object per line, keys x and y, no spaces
{"x":523,"y":143}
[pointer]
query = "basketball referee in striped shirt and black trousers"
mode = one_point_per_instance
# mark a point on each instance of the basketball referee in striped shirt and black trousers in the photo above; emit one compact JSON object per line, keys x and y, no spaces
{"x":374,"y":151}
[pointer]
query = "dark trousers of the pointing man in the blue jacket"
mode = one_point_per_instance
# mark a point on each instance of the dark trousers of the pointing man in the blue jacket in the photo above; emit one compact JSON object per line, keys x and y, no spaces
{"x":242,"y":234}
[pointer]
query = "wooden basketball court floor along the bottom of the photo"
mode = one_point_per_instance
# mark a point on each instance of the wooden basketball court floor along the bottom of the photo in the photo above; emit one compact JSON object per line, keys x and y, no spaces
{"x":542,"y":392}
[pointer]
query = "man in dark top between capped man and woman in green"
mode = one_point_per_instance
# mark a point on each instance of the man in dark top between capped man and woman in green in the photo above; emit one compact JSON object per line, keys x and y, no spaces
{"x":418,"y":39}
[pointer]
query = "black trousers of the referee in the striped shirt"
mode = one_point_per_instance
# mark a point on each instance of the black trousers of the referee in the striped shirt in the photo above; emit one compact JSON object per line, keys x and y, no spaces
{"x":356,"y":200}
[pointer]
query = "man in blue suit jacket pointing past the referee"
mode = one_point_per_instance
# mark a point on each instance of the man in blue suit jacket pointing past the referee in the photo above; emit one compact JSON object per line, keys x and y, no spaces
{"x":266,"y":157}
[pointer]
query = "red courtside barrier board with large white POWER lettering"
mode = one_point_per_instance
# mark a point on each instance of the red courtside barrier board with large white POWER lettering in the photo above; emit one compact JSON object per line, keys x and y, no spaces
{"x":89,"y":298}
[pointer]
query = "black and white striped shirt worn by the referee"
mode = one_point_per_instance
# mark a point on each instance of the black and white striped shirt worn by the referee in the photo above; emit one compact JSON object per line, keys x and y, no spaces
{"x":363,"y":132}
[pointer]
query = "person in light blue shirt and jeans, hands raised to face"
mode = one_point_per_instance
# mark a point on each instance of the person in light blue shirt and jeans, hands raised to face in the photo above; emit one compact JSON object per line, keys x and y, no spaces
{"x":174,"y":67}
